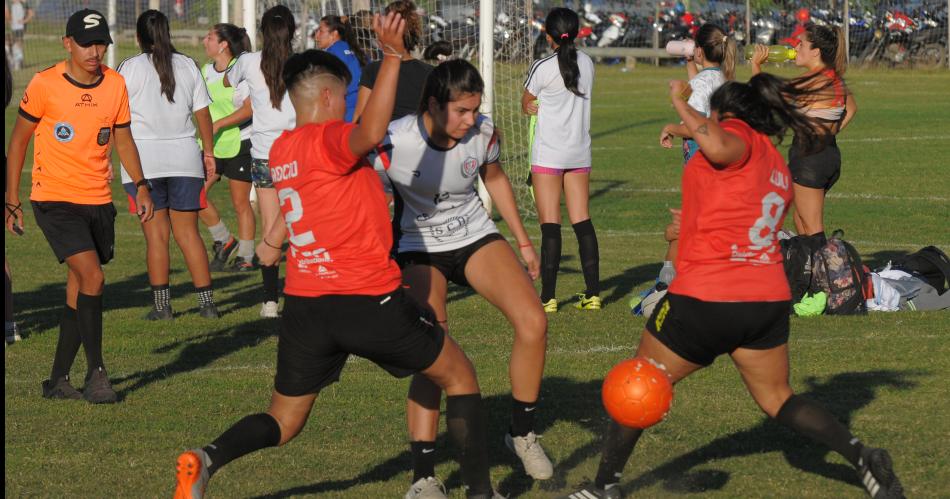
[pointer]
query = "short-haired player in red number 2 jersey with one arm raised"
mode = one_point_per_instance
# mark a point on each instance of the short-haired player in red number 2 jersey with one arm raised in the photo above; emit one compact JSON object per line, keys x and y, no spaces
{"x":343,"y":289}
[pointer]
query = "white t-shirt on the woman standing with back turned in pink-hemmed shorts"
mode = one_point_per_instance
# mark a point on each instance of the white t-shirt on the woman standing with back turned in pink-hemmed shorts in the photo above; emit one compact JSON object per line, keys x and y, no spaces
{"x":562,"y":136}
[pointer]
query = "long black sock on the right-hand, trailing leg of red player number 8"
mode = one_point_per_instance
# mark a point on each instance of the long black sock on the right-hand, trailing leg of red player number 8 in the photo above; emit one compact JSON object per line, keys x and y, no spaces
{"x":807,"y":417}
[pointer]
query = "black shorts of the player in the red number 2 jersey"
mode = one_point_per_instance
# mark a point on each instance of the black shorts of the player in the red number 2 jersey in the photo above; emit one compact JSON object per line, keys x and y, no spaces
{"x":318,"y":334}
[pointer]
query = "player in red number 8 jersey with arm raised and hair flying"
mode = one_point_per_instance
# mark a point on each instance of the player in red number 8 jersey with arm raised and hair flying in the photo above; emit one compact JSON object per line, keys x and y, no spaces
{"x":730,"y":294}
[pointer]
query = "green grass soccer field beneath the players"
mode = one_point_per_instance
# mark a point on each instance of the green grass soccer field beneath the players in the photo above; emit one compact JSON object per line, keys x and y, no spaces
{"x":182,"y":383}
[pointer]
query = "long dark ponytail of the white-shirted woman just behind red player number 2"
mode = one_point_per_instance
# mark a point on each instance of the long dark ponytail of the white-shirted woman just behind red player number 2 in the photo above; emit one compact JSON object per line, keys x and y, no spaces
{"x":277,"y":30}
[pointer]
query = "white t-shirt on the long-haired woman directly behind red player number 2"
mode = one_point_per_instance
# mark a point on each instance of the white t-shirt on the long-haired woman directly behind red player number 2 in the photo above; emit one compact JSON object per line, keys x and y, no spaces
{"x":268,"y":123}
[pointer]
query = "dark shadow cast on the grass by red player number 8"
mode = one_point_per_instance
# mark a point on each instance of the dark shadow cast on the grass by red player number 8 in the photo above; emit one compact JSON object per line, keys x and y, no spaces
{"x":843,"y":395}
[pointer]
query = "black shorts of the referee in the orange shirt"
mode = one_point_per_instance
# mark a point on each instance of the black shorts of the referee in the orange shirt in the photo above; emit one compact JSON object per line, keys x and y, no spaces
{"x":73,"y":228}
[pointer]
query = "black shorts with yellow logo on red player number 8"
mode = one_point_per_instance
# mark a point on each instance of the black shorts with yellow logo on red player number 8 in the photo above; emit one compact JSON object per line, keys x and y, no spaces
{"x":699,"y":331}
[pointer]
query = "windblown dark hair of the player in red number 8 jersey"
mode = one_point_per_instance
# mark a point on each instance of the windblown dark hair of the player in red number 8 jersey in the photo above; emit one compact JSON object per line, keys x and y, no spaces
{"x":767,"y":104}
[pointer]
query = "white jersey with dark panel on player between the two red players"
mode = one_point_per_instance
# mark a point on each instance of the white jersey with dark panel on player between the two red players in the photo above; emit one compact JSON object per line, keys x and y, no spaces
{"x":437,"y":207}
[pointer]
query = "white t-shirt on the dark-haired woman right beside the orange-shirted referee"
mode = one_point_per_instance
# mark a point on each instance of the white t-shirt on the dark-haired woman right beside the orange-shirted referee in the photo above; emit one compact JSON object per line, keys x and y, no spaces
{"x":163,"y":131}
